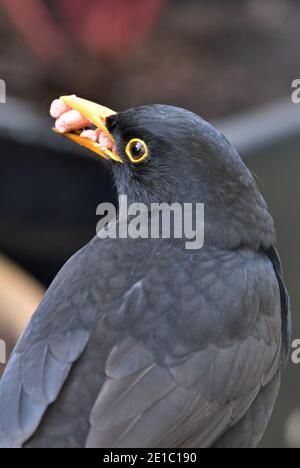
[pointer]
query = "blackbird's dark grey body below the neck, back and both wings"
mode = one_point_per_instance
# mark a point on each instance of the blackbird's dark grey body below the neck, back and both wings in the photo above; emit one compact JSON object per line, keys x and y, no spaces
{"x":144,"y":344}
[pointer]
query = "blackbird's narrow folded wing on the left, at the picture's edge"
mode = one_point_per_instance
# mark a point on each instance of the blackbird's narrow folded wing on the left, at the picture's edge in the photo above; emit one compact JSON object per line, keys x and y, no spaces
{"x":41,"y":361}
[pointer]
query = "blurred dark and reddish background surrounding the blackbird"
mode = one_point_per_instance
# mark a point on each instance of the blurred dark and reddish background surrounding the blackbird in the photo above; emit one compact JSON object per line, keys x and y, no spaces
{"x":231,"y":61}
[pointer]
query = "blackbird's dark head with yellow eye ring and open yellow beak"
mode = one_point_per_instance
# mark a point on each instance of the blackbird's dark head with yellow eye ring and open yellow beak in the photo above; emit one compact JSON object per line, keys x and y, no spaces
{"x":168,"y":154}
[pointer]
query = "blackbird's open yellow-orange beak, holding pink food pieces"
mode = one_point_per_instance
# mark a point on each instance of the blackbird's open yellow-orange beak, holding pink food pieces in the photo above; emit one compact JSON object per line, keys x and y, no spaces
{"x":97,"y":115}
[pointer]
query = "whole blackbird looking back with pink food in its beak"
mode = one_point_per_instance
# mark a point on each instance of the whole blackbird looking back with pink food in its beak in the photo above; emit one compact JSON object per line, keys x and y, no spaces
{"x":143,"y":342}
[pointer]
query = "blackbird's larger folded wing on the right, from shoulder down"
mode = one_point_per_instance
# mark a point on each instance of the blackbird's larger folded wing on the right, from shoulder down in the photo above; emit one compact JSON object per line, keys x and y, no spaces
{"x":202,"y":334}
